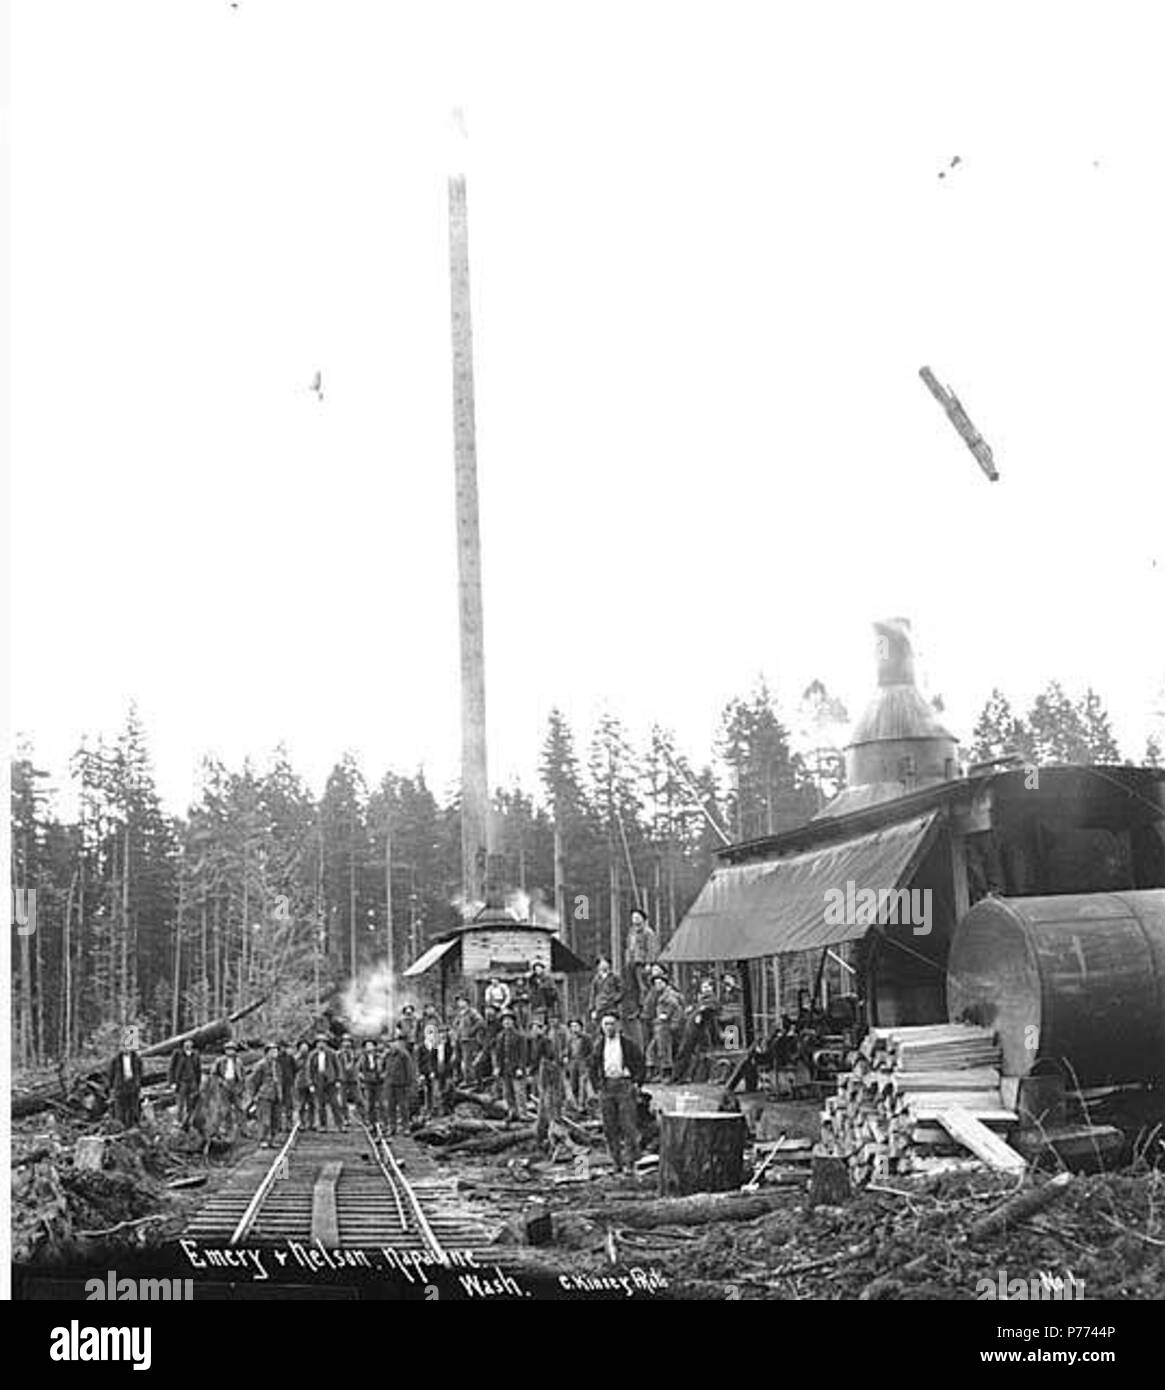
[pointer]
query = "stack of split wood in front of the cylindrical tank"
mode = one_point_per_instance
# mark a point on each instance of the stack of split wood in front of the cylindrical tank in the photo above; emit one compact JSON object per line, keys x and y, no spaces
{"x":893,"y":1111}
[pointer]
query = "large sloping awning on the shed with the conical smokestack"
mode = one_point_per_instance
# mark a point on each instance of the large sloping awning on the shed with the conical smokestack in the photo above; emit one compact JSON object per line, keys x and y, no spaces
{"x":804,"y":903}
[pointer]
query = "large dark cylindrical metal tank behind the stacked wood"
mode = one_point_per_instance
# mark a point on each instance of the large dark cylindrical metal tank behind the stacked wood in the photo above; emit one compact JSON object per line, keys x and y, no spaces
{"x":1075,"y":981}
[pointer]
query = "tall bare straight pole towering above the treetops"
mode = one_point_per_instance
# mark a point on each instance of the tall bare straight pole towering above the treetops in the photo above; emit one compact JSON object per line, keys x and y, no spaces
{"x":475,"y":780}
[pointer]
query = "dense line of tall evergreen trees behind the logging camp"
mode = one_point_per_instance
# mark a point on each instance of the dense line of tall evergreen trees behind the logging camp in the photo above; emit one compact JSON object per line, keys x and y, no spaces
{"x":127,"y":915}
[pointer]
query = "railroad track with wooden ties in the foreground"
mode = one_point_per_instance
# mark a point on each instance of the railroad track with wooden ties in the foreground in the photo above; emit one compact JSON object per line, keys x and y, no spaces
{"x":343,"y":1191}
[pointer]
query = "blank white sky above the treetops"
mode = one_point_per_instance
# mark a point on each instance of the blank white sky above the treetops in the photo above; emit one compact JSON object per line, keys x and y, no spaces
{"x":710,"y":252}
